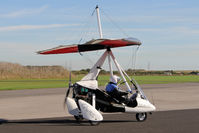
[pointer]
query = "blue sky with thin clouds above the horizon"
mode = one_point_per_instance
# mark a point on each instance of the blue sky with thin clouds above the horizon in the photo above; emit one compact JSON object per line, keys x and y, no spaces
{"x":168,"y":29}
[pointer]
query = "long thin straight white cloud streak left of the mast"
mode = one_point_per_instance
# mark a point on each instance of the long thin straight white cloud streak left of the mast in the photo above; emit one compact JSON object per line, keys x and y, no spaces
{"x":32,"y":27}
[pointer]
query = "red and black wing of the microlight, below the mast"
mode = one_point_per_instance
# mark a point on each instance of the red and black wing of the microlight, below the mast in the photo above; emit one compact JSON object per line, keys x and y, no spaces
{"x":92,"y":45}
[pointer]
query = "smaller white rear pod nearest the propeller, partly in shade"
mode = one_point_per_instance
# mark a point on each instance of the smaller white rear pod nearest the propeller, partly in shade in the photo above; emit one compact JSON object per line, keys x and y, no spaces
{"x":72,"y":107}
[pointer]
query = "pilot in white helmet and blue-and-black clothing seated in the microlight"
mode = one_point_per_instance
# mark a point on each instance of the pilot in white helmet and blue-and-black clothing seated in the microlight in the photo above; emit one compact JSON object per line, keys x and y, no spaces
{"x":113,"y":90}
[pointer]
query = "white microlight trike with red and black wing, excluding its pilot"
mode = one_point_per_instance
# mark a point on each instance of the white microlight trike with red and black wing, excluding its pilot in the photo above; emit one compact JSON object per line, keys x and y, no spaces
{"x":85,"y":100}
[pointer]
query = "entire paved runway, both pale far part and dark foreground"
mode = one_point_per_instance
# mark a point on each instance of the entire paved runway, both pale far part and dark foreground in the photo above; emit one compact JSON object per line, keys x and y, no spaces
{"x":41,"y":110}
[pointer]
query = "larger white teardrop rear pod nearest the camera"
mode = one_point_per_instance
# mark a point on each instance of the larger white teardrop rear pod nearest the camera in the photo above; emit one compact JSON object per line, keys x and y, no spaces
{"x":89,"y":112}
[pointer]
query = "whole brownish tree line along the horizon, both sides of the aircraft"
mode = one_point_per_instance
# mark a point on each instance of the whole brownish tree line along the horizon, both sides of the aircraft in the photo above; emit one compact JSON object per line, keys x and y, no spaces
{"x":17,"y":71}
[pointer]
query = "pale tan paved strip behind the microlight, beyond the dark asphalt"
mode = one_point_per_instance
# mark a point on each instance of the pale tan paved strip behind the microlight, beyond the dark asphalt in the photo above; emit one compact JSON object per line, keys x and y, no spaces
{"x":48,"y":103}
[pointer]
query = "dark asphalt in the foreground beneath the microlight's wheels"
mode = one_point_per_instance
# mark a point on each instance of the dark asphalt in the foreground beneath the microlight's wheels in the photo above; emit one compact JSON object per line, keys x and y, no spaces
{"x":181,"y":121}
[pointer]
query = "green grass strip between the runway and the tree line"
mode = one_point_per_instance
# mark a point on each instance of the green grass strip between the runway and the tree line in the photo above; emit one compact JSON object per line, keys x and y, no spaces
{"x":103,"y":80}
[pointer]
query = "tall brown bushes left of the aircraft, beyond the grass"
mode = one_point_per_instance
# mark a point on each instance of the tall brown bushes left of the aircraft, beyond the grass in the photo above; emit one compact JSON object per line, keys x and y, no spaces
{"x":17,"y":71}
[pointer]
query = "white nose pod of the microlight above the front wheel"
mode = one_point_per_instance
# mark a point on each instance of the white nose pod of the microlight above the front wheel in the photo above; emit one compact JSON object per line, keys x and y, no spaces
{"x":143,"y":106}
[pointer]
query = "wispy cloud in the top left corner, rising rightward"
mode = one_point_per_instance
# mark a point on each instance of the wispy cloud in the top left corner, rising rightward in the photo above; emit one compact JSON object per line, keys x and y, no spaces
{"x":24,"y":12}
